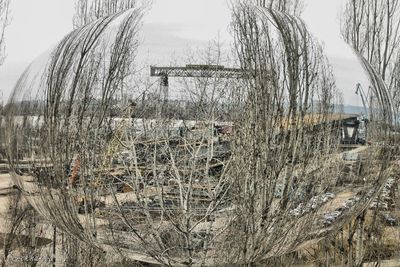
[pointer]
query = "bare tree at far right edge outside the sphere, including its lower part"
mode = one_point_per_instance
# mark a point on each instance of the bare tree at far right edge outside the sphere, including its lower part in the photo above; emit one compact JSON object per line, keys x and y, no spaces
{"x":372,"y":28}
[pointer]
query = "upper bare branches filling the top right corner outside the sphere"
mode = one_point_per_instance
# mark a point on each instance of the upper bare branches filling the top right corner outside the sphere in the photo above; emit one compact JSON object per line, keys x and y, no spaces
{"x":372,"y":28}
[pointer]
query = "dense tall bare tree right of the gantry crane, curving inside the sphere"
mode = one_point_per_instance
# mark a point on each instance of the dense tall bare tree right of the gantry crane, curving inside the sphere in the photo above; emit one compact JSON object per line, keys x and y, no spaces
{"x":288,"y":72}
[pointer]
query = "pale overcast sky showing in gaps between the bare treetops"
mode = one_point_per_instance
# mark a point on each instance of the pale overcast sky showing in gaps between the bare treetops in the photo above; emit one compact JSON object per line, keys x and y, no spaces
{"x":171,"y":25}
